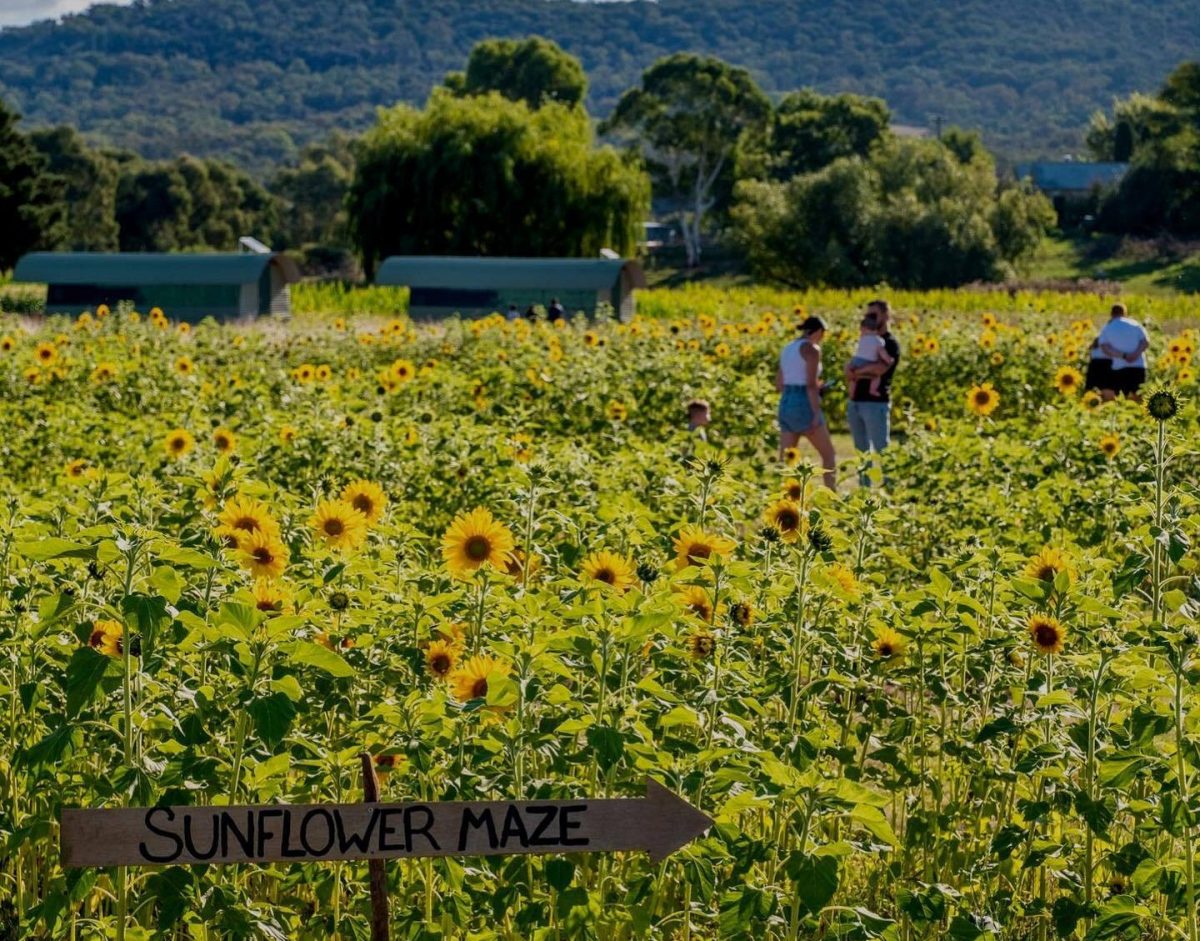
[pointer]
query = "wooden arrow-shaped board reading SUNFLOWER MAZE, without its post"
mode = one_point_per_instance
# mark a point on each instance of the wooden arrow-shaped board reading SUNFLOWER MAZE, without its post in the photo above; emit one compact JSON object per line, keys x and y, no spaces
{"x":658,"y":824}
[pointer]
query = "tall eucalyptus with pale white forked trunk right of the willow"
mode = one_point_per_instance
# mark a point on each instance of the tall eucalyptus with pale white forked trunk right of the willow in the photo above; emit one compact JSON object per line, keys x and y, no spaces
{"x":687,"y":119}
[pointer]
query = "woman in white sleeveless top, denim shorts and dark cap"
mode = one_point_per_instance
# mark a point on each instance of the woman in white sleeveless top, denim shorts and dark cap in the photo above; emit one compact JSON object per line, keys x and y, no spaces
{"x":799,"y":383}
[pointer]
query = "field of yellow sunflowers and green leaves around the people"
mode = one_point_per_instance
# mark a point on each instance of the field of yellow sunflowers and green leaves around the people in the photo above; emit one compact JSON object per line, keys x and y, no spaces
{"x":493,"y":556}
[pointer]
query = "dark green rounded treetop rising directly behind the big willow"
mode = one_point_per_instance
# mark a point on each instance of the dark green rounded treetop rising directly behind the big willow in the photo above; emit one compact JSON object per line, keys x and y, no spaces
{"x":535,"y":70}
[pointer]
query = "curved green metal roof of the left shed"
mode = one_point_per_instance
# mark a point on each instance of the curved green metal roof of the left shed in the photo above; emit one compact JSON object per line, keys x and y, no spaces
{"x":148,"y":268}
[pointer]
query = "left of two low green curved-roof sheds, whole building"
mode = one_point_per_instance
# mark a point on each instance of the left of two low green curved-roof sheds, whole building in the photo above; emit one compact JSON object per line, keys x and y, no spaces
{"x":188,"y":287}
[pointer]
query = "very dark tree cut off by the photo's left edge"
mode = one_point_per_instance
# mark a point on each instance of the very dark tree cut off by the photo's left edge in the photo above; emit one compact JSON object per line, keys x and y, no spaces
{"x":31,"y":197}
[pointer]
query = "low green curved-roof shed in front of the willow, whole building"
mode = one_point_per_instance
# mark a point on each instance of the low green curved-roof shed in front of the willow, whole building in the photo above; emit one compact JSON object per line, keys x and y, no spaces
{"x":442,"y":286}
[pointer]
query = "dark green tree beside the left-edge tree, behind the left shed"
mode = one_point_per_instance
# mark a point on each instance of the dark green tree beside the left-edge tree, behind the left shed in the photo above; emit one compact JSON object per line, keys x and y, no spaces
{"x":87,"y":182}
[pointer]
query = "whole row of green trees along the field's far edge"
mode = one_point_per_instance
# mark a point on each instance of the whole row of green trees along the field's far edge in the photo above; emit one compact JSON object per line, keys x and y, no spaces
{"x":505,"y":160}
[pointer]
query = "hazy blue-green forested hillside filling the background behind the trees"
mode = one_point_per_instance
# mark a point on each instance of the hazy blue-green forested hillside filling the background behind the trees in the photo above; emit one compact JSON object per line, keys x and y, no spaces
{"x":251,"y":80}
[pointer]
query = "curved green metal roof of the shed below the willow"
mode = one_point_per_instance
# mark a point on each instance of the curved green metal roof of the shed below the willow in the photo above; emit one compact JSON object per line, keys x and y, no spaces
{"x":497,"y":274}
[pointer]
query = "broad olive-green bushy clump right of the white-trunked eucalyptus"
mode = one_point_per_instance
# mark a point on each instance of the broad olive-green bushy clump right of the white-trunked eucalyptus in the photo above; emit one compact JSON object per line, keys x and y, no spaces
{"x":911,"y":215}
